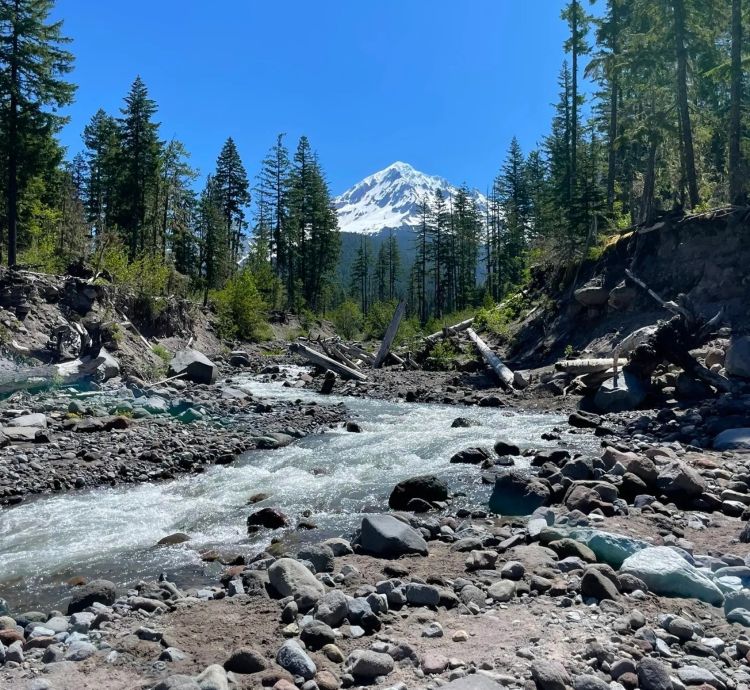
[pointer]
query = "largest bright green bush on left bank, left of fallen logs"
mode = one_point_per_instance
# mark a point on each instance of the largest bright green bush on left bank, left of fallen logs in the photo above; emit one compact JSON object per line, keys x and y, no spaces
{"x":241,"y":309}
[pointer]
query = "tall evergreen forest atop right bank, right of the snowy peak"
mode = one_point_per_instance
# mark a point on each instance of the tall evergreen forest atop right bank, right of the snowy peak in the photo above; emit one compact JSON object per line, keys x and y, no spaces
{"x":661,"y":126}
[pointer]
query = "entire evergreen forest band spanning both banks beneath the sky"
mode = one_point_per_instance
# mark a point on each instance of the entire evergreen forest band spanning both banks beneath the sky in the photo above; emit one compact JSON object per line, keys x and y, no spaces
{"x":651,"y":117}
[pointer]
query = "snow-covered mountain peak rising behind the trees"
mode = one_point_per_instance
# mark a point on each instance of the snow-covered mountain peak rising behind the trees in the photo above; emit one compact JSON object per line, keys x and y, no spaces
{"x":389,"y":200}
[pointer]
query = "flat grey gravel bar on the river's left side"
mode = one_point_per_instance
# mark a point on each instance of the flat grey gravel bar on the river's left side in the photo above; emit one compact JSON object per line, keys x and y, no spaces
{"x":73,"y":439}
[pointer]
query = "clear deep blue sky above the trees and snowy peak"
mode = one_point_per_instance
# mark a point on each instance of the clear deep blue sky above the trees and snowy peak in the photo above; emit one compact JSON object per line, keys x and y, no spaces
{"x":440,"y":84}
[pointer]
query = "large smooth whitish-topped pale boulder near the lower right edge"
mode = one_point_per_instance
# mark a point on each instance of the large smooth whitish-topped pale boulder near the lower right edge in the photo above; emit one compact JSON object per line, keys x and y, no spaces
{"x":666,"y":572}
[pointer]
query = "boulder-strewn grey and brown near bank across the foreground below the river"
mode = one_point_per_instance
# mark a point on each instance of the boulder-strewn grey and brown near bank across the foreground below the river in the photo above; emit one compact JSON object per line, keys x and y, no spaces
{"x":630,"y":572}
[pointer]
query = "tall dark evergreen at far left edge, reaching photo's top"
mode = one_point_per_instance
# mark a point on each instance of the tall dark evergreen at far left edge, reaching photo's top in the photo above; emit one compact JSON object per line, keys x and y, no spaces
{"x":34,"y":63}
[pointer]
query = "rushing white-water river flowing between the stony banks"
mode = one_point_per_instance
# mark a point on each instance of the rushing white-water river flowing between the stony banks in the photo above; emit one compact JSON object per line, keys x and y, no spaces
{"x":329,"y":480}
